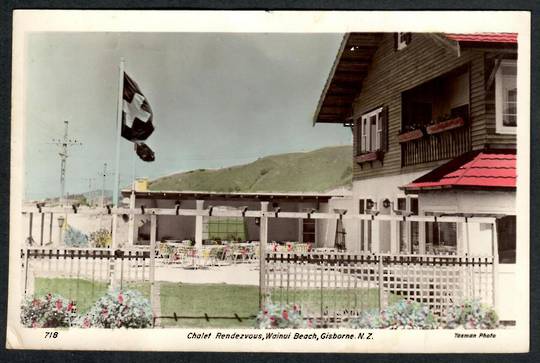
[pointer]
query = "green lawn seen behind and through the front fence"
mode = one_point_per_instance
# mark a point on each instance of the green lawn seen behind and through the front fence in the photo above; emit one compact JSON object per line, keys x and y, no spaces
{"x":214,"y":305}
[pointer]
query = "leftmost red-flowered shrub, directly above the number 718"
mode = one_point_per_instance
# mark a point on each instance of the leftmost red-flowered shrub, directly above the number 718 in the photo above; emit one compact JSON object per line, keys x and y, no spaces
{"x":50,"y":311}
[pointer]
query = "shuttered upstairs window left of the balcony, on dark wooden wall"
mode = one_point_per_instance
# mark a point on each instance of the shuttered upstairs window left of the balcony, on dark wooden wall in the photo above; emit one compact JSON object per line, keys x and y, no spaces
{"x":372,"y":130}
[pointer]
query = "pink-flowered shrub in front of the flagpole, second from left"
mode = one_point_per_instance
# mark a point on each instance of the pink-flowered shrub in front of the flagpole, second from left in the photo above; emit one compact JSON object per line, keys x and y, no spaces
{"x":119,"y":309}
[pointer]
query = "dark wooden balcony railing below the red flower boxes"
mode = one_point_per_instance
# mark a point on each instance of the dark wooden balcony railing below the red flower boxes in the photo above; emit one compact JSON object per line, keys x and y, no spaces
{"x":441,"y":146}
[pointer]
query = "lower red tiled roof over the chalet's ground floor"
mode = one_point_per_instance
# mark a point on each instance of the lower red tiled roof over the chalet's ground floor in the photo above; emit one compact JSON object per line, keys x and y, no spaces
{"x":484,"y":170}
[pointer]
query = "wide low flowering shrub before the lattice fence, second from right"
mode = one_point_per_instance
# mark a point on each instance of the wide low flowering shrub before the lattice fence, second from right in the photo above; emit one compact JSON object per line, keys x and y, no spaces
{"x":405,"y":314}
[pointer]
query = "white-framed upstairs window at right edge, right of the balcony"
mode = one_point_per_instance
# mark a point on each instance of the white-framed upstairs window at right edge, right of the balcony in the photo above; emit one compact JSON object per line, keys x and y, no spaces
{"x":506,"y":97}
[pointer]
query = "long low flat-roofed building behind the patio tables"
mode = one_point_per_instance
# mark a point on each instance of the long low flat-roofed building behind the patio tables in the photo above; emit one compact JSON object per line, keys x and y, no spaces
{"x":237,"y":229}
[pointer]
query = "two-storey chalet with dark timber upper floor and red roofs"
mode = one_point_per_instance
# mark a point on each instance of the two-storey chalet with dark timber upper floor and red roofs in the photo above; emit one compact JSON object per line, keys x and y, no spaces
{"x":434,"y":123}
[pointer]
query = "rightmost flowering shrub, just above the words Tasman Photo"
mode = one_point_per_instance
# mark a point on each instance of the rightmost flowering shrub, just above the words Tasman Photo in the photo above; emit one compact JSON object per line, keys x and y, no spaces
{"x":472,"y":314}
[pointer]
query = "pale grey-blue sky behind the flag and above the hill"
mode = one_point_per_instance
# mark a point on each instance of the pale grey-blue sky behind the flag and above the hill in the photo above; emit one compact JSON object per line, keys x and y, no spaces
{"x":218,"y":99}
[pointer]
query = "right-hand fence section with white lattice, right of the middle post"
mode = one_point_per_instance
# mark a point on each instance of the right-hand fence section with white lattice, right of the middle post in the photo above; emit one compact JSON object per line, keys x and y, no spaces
{"x":329,"y":286}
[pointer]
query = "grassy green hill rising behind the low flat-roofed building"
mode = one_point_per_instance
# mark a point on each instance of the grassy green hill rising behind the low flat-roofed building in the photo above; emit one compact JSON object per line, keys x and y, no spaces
{"x":315,"y":171}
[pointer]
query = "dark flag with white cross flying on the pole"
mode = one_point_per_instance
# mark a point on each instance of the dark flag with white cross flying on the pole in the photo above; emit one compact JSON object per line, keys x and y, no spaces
{"x":137,"y":123}
